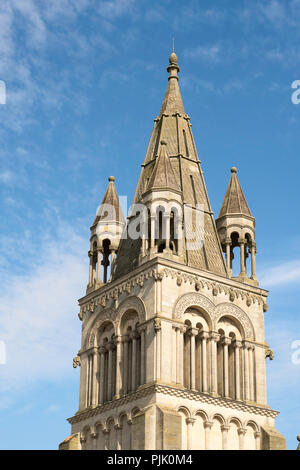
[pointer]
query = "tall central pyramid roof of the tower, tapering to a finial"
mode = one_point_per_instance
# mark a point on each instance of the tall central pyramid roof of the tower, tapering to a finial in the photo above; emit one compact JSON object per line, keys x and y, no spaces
{"x":176,"y":165}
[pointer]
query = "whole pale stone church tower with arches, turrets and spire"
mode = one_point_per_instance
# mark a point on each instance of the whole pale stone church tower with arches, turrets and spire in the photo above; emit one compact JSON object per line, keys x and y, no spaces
{"x":173,"y":348}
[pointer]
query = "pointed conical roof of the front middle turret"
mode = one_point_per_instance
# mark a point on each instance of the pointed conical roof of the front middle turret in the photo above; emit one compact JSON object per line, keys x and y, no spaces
{"x":163,"y":176}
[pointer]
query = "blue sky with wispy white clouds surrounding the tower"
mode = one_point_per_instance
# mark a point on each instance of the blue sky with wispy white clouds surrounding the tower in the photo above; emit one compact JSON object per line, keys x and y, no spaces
{"x":84,"y":80}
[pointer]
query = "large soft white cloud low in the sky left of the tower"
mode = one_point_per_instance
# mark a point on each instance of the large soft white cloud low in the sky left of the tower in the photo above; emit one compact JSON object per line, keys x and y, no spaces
{"x":38,"y":314}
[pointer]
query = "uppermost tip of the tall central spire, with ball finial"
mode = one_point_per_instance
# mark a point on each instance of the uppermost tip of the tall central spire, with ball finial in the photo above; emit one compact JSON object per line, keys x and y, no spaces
{"x":172,"y":102}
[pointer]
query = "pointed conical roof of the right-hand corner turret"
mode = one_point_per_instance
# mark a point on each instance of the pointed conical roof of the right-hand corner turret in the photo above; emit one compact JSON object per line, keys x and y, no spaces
{"x":234,"y":200}
